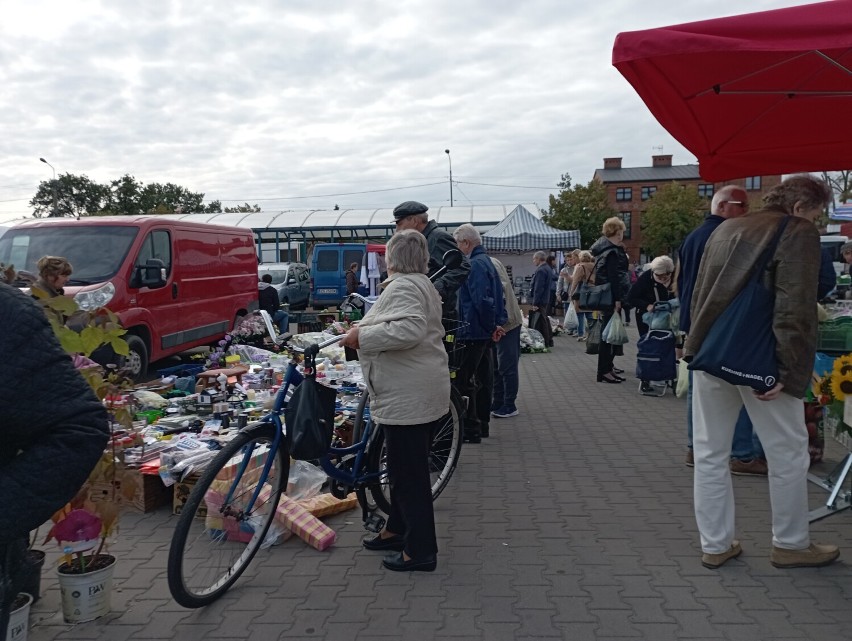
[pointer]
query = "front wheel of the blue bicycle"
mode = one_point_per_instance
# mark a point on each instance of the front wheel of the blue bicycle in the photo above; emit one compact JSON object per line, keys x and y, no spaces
{"x":214,"y":541}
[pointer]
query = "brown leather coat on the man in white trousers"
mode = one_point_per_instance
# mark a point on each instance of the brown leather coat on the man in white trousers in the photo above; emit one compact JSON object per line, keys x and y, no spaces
{"x":792,"y":274}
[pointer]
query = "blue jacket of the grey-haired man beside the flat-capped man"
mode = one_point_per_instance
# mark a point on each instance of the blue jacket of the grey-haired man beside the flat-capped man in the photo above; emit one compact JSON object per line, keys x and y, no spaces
{"x":481,"y":299}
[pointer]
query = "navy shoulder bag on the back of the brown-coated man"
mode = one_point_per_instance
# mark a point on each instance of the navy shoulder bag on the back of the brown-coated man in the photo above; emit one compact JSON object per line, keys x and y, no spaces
{"x":740,"y":346}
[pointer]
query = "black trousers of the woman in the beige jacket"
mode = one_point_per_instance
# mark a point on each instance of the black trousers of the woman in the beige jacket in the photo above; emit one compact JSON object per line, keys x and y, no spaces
{"x":411,"y":512}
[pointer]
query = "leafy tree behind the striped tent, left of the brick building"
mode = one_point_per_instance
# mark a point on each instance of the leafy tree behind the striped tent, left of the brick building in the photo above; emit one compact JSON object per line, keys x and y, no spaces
{"x":581,"y":207}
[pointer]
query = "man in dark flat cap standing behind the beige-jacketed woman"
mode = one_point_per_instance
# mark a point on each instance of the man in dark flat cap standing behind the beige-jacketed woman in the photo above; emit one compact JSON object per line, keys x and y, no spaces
{"x":412,"y":215}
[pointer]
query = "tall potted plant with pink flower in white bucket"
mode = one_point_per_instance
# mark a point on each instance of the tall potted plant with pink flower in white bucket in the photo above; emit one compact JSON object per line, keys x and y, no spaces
{"x":83,"y":527}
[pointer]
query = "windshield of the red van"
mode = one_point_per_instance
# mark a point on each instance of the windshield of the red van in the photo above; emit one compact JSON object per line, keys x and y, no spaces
{"x":95,"y":252}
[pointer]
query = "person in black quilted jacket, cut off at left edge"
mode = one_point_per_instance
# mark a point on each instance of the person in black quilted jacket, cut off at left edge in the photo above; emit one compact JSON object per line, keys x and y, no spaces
{"x":53,"y":430}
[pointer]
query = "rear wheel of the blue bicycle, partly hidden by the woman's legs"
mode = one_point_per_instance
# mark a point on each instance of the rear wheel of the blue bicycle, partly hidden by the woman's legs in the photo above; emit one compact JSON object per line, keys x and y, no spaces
{"x":444,"y":452}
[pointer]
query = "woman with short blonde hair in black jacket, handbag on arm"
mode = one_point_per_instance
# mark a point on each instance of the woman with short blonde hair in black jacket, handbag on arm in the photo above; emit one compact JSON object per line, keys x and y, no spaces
{"x":610,"y":268}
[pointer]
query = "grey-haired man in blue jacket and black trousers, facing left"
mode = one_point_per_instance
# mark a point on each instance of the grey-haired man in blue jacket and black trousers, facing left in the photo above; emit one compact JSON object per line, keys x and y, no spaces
{"x":482,"y":315}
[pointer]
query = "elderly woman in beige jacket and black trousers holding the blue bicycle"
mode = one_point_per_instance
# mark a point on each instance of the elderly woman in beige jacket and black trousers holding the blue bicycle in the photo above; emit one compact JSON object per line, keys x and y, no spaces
{"x":399,"y":343}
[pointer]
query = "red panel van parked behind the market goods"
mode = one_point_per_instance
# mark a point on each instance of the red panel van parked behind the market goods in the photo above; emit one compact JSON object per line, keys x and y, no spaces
{"x":173,"y":284}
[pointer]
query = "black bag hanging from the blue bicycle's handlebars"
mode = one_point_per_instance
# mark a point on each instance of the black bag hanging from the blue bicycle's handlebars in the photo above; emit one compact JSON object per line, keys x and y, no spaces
{"x":309,"y":418}
